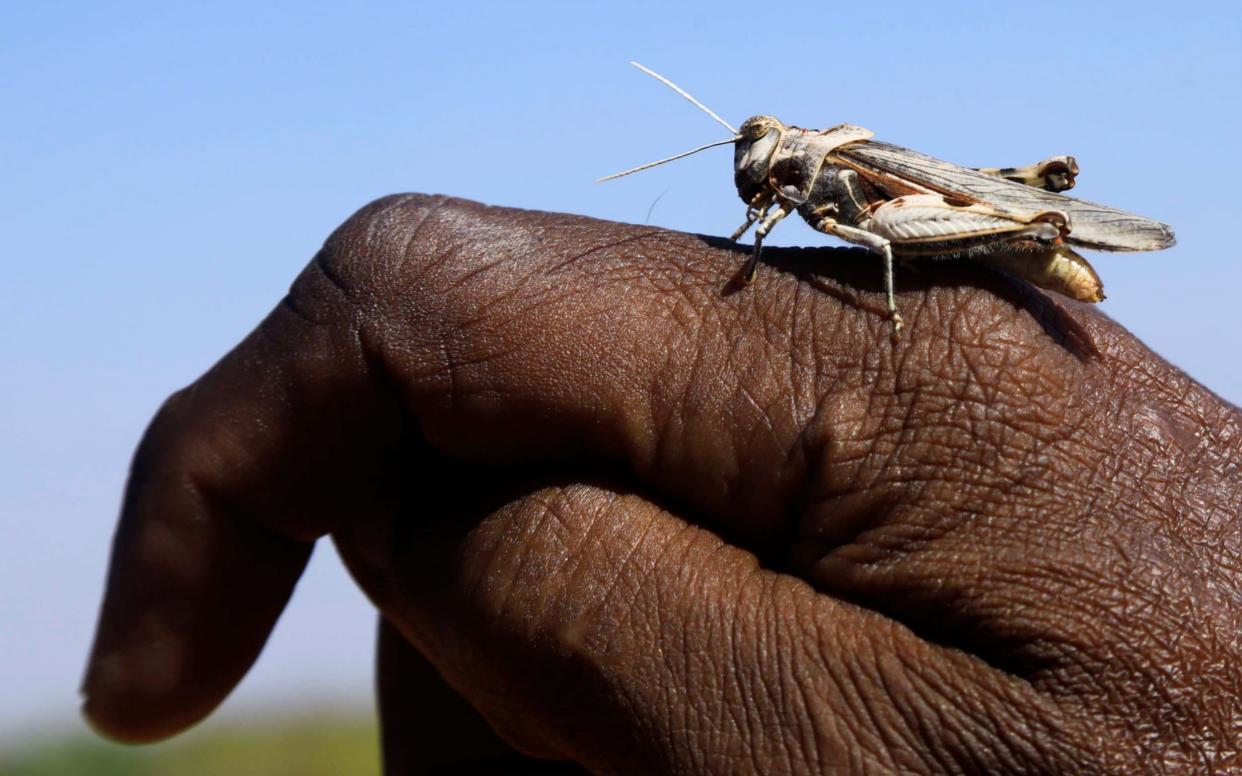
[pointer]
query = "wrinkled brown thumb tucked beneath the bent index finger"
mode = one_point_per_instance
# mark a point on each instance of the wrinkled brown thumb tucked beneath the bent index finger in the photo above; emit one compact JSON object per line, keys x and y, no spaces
{"x":591,"y":625}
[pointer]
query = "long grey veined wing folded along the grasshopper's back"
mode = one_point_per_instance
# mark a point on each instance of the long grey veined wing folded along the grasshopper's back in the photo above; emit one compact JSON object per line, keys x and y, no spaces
{"x":1091,"y":225}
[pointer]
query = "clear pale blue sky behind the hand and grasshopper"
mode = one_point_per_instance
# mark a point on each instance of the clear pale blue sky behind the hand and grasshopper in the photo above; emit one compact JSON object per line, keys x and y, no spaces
{"x":167,"y":168}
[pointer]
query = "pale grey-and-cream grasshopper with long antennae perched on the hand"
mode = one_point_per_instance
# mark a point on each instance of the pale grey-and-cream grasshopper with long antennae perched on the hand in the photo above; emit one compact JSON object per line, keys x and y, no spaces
{"x":900,"y":203}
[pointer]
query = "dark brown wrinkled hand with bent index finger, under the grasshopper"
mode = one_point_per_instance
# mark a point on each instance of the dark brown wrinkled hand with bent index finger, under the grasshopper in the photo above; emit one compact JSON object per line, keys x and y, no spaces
{"x":648,"y":523}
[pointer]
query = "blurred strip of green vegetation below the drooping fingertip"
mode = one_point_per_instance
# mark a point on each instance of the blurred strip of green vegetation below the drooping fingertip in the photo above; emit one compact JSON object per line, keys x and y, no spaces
{"x":304,"y":747}
